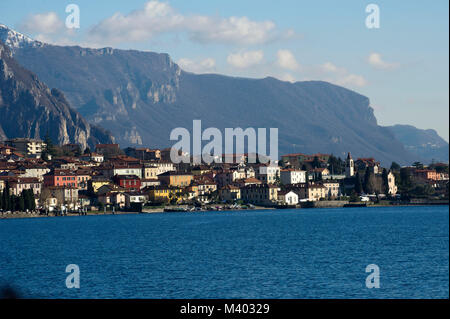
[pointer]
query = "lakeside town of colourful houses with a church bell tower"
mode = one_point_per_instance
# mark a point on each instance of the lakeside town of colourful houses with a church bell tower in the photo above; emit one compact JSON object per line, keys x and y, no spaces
{"x":38,"y":178}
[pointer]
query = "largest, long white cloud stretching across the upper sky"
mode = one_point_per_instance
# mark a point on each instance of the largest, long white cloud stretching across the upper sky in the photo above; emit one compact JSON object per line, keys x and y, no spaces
{"x":159,"y":17}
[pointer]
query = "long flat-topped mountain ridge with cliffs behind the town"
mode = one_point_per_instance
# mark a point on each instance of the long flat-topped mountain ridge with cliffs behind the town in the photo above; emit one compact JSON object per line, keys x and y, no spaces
{"x":141,"y":96}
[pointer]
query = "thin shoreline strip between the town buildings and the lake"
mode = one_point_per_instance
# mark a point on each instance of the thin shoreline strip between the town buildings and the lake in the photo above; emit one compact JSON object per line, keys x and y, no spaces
{"x":20,"y":215}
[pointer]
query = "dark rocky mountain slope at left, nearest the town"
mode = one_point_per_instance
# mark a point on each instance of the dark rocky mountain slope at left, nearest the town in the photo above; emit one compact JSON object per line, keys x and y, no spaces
{"x":29,"y":108}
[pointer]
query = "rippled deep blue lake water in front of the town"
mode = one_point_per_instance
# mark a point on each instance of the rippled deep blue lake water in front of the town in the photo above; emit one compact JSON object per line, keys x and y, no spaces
{"x":309,"y":253}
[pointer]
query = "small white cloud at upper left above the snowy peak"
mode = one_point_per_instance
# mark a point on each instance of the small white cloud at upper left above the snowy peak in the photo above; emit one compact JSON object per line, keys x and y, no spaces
{"x":46,"y":23}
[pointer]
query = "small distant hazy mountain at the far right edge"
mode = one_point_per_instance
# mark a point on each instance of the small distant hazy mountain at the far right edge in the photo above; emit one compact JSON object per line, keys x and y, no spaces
{"x":426,"y":144}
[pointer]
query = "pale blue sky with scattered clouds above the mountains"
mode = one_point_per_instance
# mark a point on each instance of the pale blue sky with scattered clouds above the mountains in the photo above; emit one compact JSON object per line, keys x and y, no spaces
{"x":402,"y":66}
